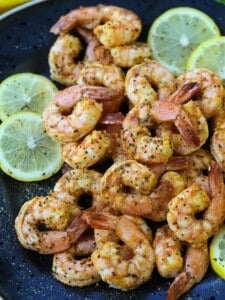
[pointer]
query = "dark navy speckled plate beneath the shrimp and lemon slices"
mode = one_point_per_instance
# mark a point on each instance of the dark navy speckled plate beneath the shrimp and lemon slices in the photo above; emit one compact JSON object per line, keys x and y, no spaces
{"x":24,"y":44}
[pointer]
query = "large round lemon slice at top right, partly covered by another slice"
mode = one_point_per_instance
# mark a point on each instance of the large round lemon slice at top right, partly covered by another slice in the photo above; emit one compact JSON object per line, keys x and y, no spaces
{"x":176,"y":33}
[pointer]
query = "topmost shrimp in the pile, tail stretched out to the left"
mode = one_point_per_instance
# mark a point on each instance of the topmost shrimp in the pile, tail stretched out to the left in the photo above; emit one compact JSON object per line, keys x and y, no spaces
{"x":112,"y":25}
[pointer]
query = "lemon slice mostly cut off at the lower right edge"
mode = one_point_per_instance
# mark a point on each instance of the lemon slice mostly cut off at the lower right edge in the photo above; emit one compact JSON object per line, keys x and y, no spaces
{"x":217,"y":252}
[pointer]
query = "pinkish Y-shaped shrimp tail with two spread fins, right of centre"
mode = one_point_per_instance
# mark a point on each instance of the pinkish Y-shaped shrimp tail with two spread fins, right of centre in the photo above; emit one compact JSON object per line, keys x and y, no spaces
{"x":172,"y":111}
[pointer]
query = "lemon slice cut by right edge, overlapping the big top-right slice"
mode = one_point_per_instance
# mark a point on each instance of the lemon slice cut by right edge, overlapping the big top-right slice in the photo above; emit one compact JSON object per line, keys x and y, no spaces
{"x":210,"y":55}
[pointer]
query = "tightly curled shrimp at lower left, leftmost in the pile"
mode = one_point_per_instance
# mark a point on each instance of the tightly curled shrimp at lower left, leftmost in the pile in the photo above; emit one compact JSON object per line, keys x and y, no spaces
{"x":55,"y":215}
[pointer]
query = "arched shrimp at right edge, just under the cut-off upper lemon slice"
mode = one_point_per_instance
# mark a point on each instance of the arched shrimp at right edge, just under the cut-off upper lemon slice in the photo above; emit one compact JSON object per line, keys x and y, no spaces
{"x":210,"y":97}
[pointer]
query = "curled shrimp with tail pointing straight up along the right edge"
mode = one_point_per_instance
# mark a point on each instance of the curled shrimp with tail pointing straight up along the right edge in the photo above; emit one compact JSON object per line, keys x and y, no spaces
{"x":182,"y":209}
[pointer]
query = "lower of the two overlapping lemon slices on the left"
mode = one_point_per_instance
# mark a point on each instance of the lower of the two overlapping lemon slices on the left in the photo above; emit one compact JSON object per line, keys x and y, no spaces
{"x":26,"y":152}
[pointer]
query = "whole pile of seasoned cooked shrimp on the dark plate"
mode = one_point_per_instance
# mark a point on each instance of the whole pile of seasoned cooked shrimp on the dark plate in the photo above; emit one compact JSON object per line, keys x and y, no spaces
{"x":161,"y":198}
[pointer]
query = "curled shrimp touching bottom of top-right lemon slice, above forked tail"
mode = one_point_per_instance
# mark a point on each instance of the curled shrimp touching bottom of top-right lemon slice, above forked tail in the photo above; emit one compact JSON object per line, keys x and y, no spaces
{"x":148,"y":81}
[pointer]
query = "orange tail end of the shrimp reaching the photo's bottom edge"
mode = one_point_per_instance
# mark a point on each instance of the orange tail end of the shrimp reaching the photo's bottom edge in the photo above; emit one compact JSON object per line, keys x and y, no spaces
{"x":196,"y":265}
